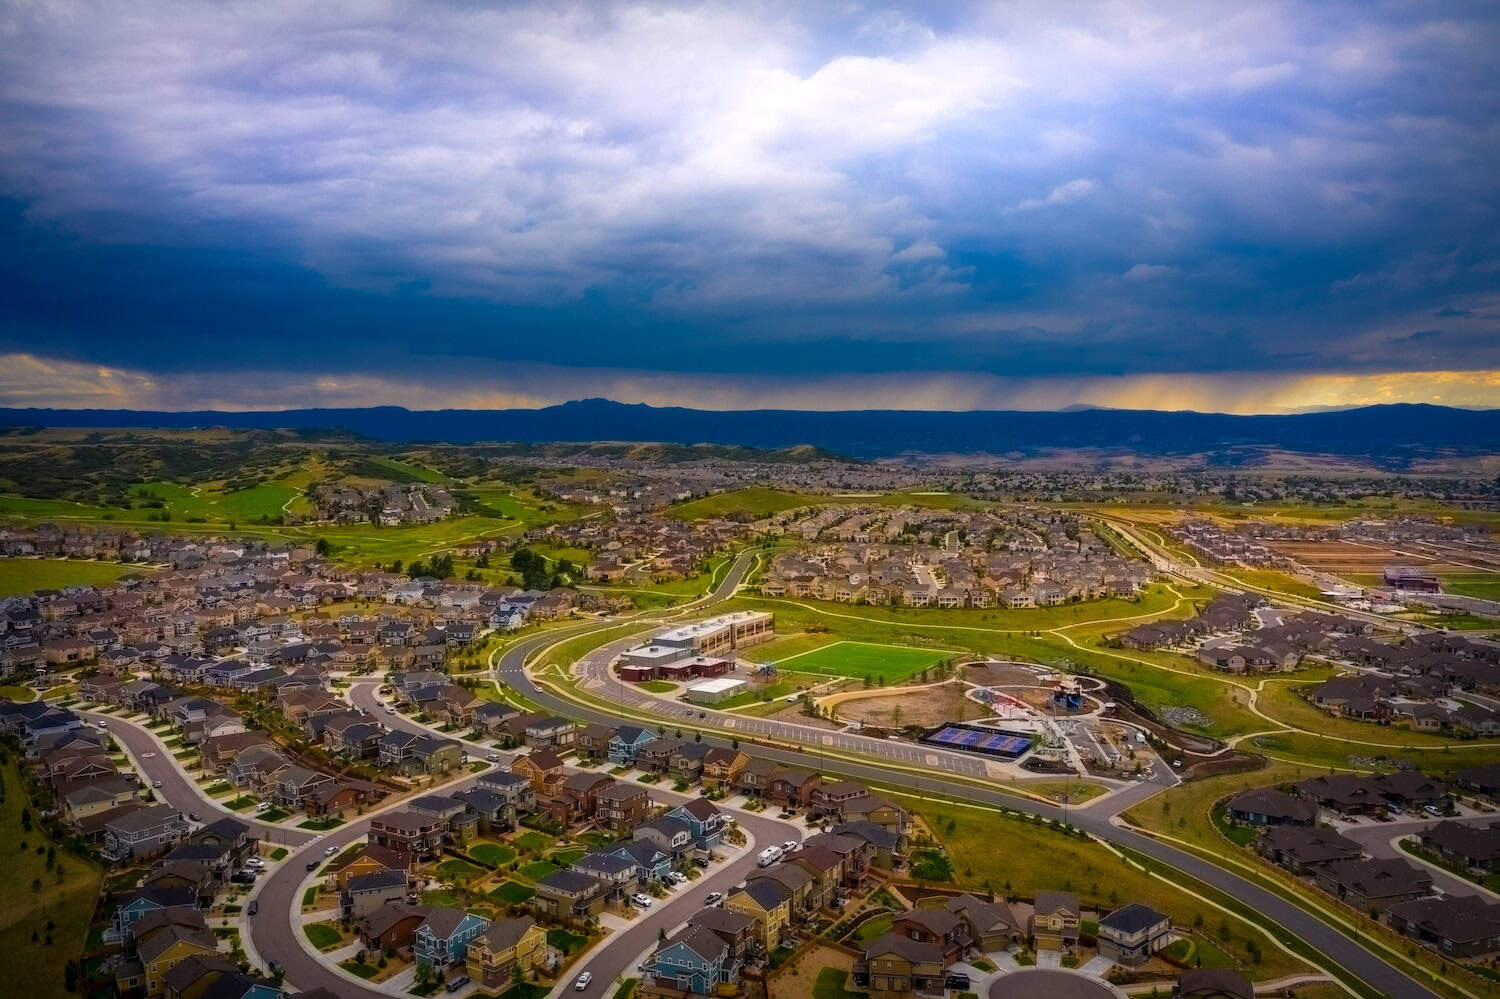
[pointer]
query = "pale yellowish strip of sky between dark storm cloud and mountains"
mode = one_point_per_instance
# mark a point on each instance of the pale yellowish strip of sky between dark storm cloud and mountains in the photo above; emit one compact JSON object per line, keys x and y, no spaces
{"x":28,"y":382}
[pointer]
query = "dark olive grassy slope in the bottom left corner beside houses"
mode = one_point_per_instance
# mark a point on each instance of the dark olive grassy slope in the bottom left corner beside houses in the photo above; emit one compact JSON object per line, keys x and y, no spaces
{"x":32,"y":896}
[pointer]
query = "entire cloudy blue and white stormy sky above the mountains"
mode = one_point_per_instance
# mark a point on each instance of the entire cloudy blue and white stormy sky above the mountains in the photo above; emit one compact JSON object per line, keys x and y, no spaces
{"x":1238,"y":208}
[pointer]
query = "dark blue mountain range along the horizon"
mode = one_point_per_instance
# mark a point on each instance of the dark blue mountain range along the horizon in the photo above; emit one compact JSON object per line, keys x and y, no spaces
{"x":1390,"y":436}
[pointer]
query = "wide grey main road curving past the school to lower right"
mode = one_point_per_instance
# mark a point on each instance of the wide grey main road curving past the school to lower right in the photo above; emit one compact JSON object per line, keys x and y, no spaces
{"x":1297,"y":922}
